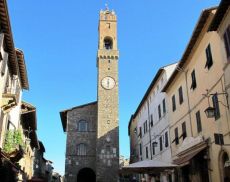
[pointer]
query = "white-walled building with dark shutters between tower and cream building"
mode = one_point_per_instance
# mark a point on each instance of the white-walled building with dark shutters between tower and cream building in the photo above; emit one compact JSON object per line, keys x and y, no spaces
{"x":149,"y":126}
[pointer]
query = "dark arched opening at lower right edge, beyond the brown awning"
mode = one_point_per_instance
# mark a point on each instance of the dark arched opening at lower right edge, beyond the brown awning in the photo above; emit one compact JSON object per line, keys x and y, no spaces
{"x":224,"y":167}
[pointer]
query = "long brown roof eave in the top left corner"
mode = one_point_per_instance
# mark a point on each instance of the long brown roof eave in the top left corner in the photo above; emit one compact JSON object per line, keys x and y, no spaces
{"x":6,"y":29}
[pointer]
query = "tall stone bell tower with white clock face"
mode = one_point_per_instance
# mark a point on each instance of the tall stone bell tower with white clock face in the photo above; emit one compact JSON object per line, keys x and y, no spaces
{"x":107,"y":150}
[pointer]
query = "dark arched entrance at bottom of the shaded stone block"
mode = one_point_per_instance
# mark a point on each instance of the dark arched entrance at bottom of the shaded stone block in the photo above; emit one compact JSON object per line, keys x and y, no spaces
{"x":86,"y":175}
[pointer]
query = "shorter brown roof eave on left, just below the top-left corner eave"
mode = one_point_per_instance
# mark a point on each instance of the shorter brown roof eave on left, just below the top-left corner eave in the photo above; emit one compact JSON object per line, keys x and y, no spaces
{"x":22,"y":69}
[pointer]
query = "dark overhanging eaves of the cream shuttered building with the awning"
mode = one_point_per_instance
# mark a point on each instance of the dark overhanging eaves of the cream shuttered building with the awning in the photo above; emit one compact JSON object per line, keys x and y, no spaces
{"x":195,"y":35}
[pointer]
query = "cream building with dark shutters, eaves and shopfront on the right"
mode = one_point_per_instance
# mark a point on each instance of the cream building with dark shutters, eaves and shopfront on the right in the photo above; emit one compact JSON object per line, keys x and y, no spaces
{"x":198,"y":139}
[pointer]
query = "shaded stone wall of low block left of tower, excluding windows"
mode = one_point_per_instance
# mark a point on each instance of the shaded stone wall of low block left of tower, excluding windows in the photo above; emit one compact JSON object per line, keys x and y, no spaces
{"x":75,"y":162}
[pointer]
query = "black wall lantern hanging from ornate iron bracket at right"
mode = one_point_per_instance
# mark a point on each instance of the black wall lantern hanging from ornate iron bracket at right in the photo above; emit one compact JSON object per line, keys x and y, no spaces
{"x":211,"y":111}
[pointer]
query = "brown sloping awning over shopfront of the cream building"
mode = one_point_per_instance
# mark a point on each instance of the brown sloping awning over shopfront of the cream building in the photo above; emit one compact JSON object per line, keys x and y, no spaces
{"x":184,"y":159}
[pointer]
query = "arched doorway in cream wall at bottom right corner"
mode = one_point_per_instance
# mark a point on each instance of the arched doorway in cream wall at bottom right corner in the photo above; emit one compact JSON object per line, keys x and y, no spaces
{"x":224,"y":170}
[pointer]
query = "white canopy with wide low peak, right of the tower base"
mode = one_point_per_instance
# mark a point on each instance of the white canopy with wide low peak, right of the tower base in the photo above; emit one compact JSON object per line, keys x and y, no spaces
{"x":148,"y":167}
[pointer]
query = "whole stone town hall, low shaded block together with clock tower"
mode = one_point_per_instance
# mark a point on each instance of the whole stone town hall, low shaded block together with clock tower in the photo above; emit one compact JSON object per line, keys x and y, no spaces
{"x":94,"y":154}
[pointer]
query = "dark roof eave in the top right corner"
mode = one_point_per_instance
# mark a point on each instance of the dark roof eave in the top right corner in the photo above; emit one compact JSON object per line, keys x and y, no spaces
{"x":220,"y":13}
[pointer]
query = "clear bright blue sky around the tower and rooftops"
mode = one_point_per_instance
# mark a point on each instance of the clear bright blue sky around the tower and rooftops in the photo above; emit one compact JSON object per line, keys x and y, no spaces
{"x":60,"y":39}
